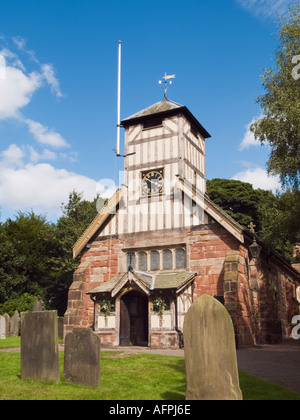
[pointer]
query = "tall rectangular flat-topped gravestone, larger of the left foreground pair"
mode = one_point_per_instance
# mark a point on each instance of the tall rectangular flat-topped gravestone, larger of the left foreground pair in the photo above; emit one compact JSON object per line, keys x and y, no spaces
{"x":39,"y":346}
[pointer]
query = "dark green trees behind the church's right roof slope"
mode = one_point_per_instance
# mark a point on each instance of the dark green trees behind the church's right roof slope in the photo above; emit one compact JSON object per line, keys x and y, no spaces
{"x":276,"y":217}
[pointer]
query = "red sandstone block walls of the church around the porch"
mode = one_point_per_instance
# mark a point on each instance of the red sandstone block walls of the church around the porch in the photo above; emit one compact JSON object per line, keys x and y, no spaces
{"x":259,"y":296}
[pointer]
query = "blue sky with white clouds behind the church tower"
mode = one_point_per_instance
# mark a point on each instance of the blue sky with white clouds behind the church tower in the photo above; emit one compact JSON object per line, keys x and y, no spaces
{"x":58,"y":87}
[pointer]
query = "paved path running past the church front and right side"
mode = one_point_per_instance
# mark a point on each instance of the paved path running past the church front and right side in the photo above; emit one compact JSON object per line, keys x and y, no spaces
{"x":276,"y":363}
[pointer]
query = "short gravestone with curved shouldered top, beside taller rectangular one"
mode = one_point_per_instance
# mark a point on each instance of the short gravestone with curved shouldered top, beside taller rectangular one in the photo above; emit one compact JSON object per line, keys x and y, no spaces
{"x":82,"y":357}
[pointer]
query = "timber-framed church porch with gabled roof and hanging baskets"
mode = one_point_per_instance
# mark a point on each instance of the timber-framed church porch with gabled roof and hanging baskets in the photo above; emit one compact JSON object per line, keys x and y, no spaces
{"x":140,"y":309}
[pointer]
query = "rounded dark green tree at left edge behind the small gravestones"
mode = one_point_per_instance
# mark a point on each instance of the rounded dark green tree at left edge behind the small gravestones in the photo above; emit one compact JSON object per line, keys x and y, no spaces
{"x":27,"y":249}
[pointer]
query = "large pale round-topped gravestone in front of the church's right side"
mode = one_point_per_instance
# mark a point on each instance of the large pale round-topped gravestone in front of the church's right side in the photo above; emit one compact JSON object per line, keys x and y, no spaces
{"x":210,"y":352}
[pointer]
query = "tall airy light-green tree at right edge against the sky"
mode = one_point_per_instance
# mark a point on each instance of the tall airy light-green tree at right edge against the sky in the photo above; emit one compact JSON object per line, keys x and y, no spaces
{"x":280,"y":124}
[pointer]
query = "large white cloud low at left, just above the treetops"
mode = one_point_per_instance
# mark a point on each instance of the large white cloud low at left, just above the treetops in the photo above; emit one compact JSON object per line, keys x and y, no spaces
{"x":40,"y":187}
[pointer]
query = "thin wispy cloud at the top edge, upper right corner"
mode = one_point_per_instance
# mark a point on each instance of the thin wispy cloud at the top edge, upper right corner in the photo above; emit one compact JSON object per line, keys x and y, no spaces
{"x":266,"y":8}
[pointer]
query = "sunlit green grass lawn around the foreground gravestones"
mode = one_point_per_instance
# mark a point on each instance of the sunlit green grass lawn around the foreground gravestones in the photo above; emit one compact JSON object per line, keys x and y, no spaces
{"x":129,"y":377}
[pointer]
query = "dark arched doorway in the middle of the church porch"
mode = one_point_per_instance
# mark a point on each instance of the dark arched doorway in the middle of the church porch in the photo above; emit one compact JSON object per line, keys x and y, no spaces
{"x":134,"y":319}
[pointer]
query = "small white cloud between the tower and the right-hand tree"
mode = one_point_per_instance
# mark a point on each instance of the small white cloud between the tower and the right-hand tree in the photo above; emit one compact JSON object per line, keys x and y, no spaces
{"x":259,"y":178}
